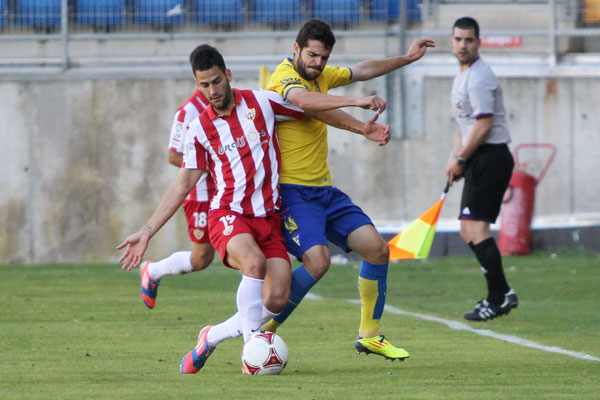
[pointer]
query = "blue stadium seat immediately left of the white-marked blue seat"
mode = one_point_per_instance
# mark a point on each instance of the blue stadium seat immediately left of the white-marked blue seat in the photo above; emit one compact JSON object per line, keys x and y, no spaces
{"x":99,"y":12}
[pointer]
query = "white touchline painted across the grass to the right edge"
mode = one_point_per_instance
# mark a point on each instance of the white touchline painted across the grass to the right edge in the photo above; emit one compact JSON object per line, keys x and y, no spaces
{"x":461,"y":326}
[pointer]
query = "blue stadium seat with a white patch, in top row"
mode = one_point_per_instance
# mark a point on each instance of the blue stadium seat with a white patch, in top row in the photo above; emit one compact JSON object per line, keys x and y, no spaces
{"x":158,"y":12}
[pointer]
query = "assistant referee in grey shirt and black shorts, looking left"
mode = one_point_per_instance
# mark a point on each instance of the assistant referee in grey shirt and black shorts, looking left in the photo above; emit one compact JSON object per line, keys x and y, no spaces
{"x":480,"y":154}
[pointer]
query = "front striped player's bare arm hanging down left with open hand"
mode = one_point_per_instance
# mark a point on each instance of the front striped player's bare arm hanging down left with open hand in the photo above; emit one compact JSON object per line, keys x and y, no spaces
{"x":136,"y":244}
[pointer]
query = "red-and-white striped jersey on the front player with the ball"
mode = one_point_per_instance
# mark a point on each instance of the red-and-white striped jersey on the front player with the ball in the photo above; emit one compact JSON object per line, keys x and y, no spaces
{"x":241,"y":151}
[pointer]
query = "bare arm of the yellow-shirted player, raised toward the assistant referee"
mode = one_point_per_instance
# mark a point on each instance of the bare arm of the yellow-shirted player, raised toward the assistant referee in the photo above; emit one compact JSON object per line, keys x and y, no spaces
{"x":370,"y":69}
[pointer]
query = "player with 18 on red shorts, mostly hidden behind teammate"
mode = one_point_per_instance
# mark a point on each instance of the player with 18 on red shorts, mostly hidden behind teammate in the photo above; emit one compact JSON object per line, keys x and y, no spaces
{"x":195,"y":207}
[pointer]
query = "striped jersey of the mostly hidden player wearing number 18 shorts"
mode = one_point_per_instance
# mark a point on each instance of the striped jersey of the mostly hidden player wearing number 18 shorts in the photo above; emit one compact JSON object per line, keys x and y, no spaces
{"x":185,"y":114}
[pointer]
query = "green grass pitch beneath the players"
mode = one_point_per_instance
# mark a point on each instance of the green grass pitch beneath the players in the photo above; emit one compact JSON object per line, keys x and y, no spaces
{"x":82,"y":332}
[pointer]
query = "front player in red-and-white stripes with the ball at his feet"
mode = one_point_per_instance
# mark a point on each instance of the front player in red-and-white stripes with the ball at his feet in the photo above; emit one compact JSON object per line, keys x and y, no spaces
{"x":235,"y":138}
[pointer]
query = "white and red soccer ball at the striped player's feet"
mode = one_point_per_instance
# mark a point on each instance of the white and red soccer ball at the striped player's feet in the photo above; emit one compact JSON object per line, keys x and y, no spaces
{"x":264,"y":354}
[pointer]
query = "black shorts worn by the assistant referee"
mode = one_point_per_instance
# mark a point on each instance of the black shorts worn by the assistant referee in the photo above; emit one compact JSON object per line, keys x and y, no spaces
{"x":487,"y":174}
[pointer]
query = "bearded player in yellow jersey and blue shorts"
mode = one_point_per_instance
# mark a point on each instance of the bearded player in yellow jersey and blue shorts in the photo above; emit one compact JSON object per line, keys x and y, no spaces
{"x":313,"y":211}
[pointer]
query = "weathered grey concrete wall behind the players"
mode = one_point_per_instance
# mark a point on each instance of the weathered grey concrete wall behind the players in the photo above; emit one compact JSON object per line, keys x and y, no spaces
{"x":83,"y":160}
